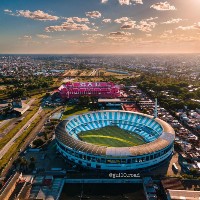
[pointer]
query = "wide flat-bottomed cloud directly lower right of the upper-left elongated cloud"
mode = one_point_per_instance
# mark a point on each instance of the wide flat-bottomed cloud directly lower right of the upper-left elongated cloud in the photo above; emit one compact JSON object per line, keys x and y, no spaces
{"x":68,"y":26}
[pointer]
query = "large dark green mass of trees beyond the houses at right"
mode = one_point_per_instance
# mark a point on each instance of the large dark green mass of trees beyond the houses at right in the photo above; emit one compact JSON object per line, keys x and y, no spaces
{"x":177,"y":89}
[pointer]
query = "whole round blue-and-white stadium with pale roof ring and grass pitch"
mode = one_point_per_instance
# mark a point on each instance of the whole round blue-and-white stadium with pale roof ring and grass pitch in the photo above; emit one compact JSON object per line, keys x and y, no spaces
{"x":115,"y":140}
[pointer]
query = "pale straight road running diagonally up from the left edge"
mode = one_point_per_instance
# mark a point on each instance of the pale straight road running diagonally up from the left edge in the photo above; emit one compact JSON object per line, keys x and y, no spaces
{"x":12,"y":141}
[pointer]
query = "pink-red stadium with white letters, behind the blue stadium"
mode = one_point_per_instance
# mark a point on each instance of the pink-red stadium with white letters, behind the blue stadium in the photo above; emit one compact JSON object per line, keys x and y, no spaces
{"x":94,"y":89}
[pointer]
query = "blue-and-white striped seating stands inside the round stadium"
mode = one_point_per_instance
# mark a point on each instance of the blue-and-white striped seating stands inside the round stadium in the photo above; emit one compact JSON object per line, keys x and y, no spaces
{"x":144,"y":126}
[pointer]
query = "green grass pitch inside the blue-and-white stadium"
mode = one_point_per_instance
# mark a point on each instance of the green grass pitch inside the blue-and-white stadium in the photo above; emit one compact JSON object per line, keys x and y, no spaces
{"x":111,"y":136}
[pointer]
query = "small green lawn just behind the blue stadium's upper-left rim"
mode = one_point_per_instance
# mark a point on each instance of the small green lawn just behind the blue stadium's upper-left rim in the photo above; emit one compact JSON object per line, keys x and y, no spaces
{"x":74,"y":110}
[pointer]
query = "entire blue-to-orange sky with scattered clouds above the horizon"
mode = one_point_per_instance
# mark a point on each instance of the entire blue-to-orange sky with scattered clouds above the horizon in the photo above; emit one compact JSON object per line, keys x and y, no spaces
{"x":99,"y":26}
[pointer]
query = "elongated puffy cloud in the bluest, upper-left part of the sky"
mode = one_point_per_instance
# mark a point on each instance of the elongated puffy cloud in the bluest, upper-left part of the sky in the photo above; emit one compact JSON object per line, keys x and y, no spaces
{"x":36,"y":15}
